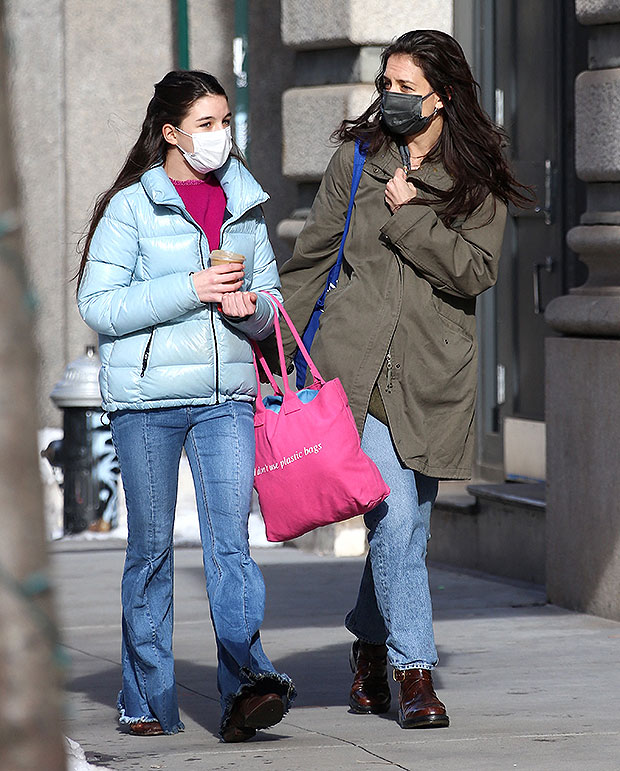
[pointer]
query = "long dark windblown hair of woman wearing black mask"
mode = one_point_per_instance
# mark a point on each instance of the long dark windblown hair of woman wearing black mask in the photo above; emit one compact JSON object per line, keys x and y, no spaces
{"x":470,"y":145}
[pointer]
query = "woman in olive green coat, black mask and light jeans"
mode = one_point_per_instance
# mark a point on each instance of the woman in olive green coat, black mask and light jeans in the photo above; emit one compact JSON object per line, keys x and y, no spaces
{"x":399,"y":330}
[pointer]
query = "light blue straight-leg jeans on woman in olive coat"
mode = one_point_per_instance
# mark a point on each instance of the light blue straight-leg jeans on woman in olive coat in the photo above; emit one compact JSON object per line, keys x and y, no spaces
{"x":394,"y":602}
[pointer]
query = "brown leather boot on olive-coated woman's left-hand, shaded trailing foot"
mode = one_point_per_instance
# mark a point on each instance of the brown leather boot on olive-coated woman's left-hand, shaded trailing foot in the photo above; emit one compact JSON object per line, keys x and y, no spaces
{"x":370,"y":692}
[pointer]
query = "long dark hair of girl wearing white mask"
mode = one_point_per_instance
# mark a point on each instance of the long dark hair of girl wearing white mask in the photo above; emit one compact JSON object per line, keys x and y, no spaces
{"x":174,"y":95}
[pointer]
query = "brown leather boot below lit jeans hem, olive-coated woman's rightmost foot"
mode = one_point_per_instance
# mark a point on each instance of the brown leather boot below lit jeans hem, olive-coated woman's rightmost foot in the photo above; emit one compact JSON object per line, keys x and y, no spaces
{"x":419,"y":706}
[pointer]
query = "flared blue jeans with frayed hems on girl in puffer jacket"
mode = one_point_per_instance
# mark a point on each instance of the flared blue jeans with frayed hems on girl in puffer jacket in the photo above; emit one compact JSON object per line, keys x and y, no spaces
{"x":219,"y":441}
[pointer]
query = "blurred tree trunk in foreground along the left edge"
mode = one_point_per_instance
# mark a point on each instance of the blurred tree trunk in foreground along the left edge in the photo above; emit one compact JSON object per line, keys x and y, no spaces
{"x":30,"y":701}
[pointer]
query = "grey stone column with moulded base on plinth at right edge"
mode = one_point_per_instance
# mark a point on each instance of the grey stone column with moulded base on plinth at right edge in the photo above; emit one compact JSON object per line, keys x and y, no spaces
{"x":583,"y":366}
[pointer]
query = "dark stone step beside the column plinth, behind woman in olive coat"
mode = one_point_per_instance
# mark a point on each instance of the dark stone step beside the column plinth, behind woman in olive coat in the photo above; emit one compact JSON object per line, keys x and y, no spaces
{"x":494,"y":528}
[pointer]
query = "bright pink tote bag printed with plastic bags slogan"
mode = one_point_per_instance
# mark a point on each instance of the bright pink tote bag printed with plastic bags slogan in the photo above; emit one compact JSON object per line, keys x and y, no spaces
{"x":310,"y":469}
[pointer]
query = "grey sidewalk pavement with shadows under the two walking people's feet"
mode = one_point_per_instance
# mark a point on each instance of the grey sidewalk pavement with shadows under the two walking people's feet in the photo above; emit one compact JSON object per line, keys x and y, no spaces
{"x":528,"y":686}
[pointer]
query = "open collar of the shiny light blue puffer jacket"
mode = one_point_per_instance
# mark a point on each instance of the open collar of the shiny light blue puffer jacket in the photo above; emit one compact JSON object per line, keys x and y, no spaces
{"x":242,"y":191}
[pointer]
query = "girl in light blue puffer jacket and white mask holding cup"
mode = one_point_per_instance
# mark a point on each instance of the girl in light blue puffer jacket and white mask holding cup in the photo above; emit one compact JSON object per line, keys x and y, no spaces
{"x":177,"y":372}
